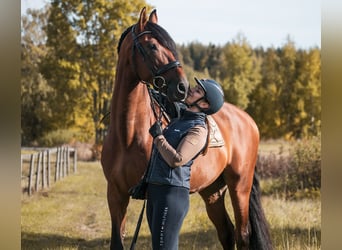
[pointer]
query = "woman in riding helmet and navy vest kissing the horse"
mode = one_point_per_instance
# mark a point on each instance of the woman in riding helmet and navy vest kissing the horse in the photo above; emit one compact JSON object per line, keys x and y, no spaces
{"x":173,"y":152}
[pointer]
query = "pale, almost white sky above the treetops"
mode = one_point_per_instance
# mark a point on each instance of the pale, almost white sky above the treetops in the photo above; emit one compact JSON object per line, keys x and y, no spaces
{"x":265,"y":23}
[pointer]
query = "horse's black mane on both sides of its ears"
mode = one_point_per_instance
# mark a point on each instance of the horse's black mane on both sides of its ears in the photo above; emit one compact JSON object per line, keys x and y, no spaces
{"x":158,"y":33}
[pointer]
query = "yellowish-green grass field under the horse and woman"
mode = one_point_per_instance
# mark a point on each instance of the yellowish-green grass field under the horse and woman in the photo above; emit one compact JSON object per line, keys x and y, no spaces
{"x":74,"y":214}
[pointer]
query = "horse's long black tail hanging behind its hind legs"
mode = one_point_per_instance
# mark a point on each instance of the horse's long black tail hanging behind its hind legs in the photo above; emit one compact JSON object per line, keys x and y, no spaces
{"x":260,"y":236}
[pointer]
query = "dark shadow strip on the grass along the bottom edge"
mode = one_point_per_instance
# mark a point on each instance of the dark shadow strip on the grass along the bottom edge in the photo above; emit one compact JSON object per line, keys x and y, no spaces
{"x":282,"y":239}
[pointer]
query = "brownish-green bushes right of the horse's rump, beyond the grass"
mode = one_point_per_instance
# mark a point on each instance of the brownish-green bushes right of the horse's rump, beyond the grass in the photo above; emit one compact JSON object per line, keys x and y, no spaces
{"x":295,"y":175}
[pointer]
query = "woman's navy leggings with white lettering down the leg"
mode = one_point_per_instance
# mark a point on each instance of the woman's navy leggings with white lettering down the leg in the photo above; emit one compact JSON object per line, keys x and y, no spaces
{"x":166,"y":209}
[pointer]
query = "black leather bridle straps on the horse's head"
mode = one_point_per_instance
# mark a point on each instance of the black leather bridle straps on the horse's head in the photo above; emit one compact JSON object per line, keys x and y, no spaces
{"x":158,"y":80}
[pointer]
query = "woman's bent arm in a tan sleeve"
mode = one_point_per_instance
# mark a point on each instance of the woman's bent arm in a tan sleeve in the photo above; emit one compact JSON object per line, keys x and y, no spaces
{"x":190,"y":145}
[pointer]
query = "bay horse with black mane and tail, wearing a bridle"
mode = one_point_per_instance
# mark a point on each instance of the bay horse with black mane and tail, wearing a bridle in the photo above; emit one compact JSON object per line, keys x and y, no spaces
{"x":148,"y":57}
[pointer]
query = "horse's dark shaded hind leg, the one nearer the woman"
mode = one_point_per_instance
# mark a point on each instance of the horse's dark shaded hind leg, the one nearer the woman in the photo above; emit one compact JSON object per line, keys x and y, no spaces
{"x":213,"y":197}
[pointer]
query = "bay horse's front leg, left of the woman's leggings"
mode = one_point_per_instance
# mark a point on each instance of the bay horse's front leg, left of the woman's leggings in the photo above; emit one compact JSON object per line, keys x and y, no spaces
{"x":118,"y":207}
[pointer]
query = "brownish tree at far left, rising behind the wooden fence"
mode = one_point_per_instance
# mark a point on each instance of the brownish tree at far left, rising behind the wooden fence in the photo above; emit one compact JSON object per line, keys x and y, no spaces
{"x":35,"y":92}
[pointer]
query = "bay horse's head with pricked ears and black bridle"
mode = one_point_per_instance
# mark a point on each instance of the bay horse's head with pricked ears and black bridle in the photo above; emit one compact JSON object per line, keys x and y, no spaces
{"x":155,"y":58}
